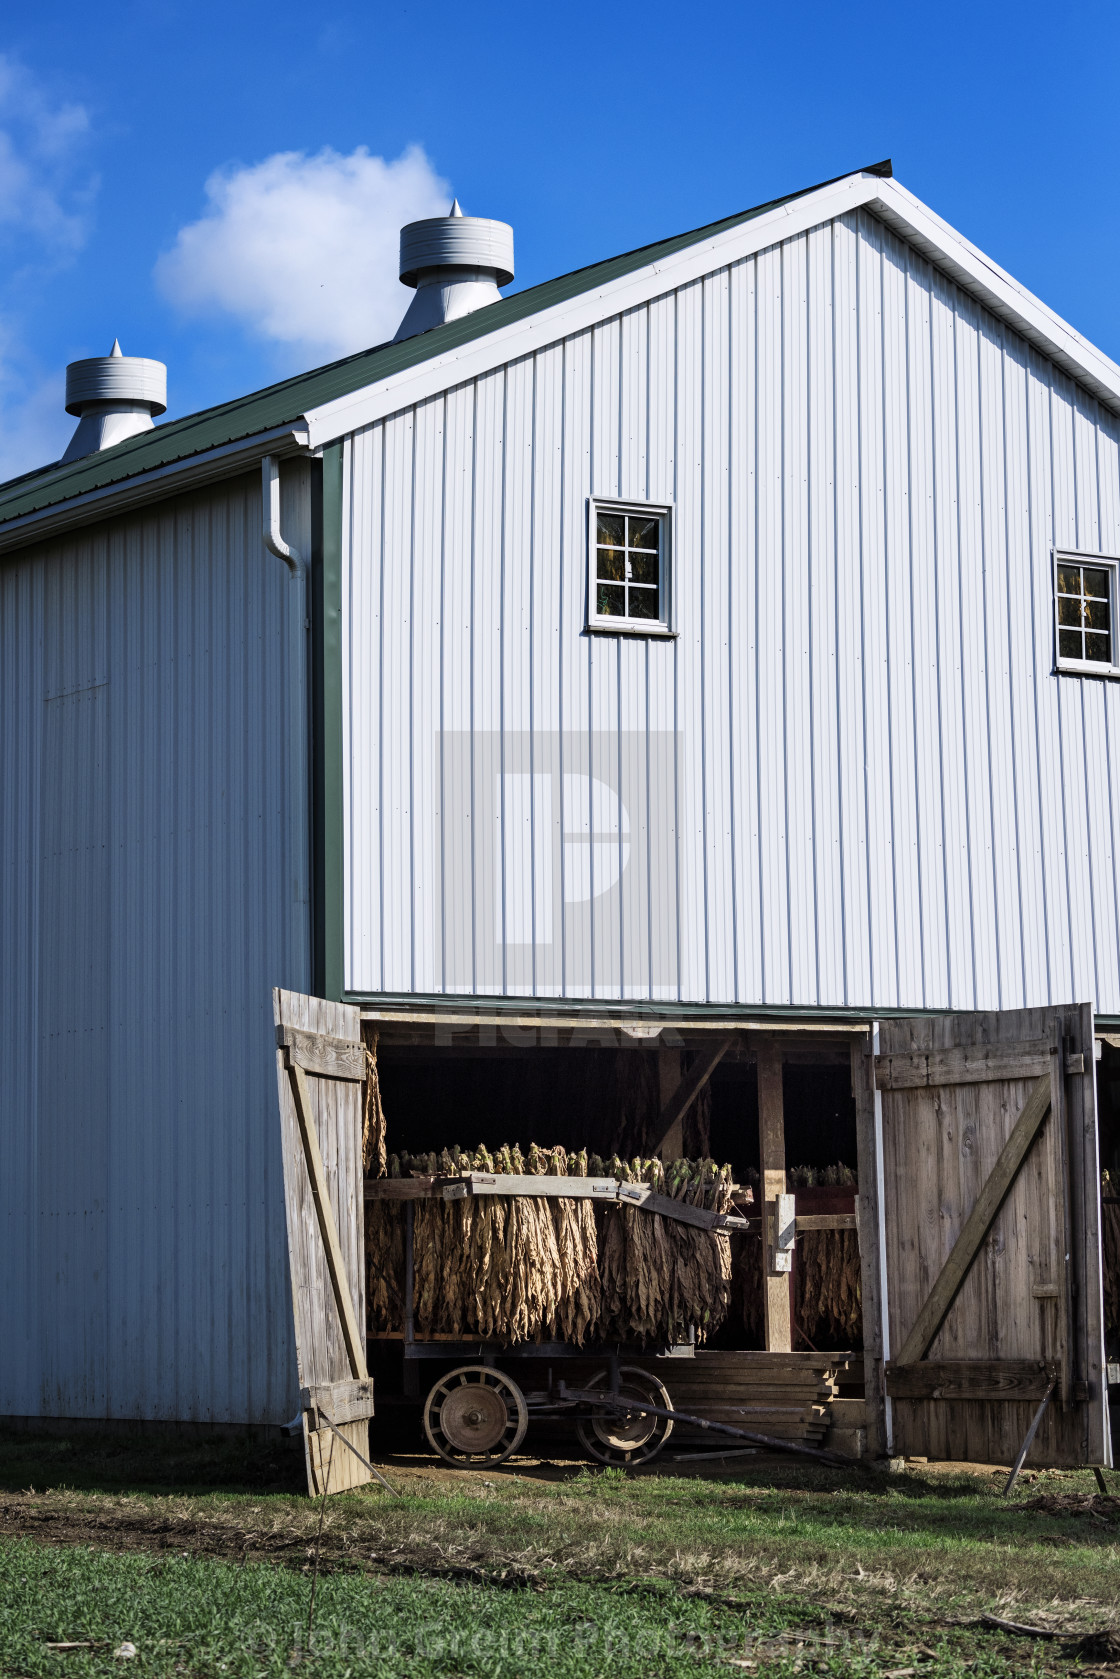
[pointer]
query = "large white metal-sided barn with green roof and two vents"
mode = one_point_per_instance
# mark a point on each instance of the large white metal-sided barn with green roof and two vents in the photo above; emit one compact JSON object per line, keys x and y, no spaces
{"x":696,"y":674}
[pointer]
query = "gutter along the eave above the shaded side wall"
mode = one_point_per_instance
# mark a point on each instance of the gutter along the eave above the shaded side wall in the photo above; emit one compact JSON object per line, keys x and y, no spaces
{"x":228,"y":461}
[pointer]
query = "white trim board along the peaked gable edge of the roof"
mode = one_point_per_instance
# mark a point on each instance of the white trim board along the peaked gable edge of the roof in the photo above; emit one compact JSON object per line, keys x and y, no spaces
{"x":886,"y":199}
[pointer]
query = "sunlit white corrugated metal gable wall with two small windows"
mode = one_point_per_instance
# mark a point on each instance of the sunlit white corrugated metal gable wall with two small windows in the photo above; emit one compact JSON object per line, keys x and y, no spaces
{"x":852,"y":780}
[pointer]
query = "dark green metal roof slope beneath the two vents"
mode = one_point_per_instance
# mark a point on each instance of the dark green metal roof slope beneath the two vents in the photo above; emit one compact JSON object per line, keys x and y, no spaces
{"x":285,"y":404}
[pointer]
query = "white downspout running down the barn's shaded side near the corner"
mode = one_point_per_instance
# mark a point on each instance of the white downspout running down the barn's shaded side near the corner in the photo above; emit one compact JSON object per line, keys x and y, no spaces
{"x":300,"y":800}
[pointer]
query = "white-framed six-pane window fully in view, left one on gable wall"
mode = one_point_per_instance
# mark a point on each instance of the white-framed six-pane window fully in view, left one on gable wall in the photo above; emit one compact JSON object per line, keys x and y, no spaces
{"x":629,"y":567}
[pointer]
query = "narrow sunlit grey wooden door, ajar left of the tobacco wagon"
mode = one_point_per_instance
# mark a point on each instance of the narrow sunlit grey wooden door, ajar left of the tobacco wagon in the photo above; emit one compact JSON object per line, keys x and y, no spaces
{"x":320,"y":1065}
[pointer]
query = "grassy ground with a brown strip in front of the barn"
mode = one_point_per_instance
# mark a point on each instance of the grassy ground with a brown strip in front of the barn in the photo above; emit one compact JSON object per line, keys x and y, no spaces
{"x":202,"y":1559}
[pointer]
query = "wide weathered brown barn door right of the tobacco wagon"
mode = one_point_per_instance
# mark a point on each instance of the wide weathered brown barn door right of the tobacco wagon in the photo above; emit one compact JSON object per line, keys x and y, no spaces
{"x":980,"y":1220}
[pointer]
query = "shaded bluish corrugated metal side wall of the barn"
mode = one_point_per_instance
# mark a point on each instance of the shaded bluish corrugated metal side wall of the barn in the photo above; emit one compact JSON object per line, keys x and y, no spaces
{"x":147,"y":901}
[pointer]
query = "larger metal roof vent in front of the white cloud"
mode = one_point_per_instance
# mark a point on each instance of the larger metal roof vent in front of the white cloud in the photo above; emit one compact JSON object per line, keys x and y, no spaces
{"x":458,"y":264}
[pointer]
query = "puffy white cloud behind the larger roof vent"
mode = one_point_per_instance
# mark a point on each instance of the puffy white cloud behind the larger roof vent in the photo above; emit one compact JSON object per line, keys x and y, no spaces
{"x":305,"y":251}
